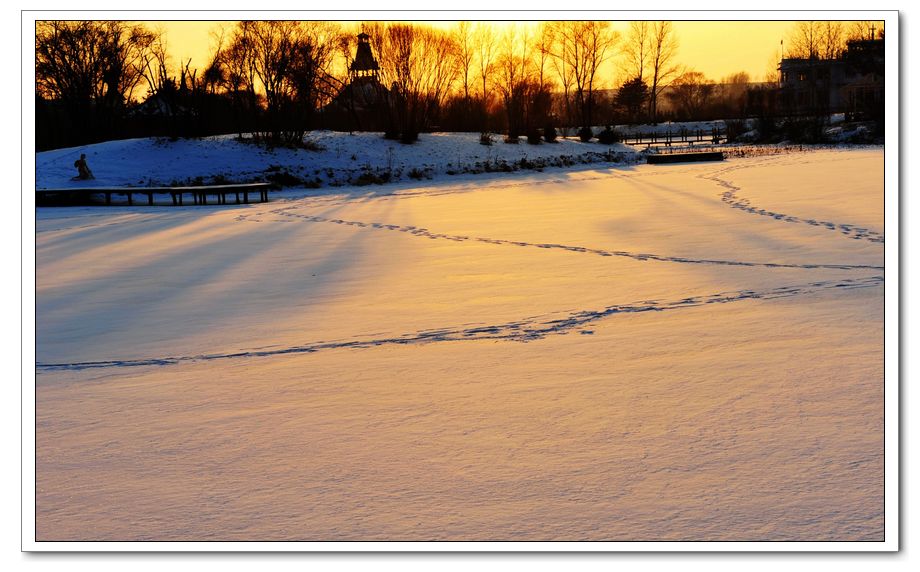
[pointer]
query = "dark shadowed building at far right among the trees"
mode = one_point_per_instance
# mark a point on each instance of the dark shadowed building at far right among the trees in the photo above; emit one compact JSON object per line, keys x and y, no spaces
{"x":854,"y":83}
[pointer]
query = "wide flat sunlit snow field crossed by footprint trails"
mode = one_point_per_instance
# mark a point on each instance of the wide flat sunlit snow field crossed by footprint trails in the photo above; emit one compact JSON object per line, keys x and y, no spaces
{"x":680,"y":352}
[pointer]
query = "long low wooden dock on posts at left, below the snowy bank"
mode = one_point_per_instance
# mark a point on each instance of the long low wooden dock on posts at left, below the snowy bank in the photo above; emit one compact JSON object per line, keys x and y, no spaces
{"x":199,"y":194}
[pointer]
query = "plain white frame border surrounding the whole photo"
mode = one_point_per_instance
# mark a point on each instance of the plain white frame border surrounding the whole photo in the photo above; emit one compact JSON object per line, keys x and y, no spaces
{"x":891,"y":287}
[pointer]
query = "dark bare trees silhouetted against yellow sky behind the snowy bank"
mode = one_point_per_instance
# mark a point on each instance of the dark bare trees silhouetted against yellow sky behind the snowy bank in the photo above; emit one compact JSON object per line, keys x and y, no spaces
{"x":277,"y":80}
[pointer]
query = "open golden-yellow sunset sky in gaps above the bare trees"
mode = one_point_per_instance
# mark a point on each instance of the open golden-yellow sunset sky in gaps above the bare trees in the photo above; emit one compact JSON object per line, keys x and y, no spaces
{"x":716,"y":49}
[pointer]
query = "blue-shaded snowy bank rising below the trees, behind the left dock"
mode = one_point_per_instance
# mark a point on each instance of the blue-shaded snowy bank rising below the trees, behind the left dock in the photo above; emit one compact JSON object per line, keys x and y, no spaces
{"x":338,"y":159}
